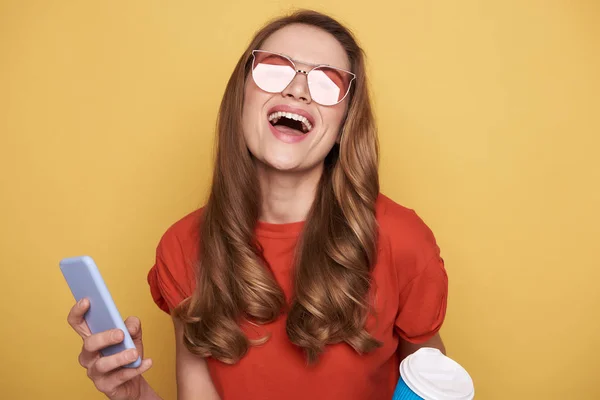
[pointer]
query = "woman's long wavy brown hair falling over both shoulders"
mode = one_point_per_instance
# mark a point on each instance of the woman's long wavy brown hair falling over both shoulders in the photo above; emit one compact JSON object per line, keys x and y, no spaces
{"x":336,"y":250}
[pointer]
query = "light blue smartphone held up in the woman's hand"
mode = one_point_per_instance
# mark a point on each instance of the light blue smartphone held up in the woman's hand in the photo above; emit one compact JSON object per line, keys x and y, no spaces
{"x":84,"y":280}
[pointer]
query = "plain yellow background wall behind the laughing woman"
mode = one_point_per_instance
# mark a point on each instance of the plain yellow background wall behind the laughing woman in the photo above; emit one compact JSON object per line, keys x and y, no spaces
{"x":489,"y":126}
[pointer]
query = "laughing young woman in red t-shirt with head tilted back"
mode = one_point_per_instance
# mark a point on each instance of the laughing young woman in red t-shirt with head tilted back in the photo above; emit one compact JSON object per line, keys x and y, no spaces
{"x":298,"y":279}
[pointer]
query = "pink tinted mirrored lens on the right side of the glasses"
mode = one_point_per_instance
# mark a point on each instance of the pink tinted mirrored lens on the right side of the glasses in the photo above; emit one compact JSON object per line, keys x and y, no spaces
{"x":328,"y":86}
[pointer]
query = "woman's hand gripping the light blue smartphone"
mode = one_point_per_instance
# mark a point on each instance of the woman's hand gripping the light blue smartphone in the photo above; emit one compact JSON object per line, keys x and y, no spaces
{"x":115,"y":382}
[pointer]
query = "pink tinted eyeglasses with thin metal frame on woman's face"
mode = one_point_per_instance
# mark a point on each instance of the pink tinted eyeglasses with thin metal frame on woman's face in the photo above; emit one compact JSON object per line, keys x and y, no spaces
{"x":273,"y":72}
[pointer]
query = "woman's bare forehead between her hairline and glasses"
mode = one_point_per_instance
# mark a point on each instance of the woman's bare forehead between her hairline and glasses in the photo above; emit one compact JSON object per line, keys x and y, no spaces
{"x":308,"y":44}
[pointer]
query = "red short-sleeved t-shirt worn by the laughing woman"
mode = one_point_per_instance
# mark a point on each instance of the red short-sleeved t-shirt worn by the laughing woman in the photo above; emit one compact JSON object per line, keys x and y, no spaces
{"x":410,"y":285}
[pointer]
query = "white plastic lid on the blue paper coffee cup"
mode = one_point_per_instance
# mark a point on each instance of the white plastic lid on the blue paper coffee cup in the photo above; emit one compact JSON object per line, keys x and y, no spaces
{"x":433,"y":376}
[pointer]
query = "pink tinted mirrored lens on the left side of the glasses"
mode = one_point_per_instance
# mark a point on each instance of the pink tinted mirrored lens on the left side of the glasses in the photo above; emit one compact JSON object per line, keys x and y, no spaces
{"x":271,"y":72}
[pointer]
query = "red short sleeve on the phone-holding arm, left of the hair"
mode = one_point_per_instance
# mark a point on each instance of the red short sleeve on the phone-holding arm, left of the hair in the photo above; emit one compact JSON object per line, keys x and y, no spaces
{"x":172,"y":277}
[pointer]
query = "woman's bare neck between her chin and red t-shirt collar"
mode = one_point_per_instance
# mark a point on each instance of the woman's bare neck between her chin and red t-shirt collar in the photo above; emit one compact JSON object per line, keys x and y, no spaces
{"x":287,"y":196}
